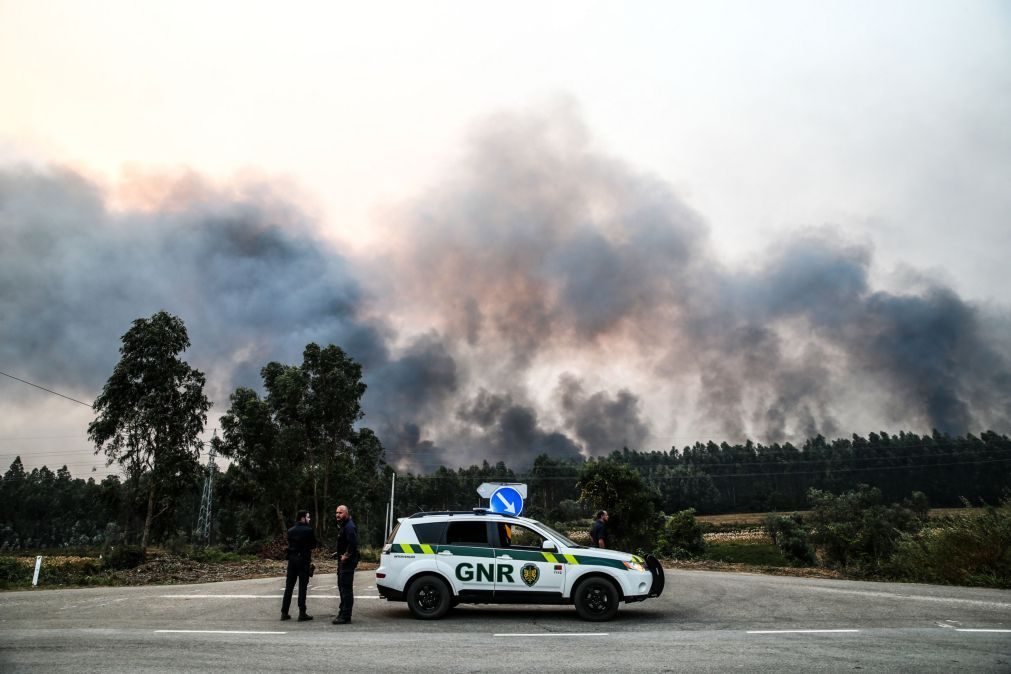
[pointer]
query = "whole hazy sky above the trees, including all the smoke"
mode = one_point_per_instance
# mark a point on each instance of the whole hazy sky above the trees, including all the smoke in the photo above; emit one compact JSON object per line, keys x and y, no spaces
{"x":494,"y":190}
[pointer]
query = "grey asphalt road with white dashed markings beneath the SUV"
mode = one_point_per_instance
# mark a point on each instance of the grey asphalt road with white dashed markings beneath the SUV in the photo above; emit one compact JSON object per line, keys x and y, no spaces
{"x":704,"y":622}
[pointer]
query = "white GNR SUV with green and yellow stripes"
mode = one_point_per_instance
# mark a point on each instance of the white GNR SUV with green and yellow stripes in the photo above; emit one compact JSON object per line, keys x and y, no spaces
{"x":437,"y":560}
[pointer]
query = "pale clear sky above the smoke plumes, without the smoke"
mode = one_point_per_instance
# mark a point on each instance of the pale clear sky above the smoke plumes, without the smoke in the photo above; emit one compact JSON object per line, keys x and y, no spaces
{"x":887,"y":123}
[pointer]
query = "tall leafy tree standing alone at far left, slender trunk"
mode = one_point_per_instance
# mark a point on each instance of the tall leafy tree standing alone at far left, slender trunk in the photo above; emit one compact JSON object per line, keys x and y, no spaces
{"x":152,"y":411}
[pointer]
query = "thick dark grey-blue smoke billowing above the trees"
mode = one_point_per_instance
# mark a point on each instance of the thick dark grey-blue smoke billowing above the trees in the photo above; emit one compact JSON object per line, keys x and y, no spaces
{"x":548,"y":299}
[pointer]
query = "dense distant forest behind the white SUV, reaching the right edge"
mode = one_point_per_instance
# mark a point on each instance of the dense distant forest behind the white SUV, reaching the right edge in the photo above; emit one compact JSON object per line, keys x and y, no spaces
{"x":749,"y":477}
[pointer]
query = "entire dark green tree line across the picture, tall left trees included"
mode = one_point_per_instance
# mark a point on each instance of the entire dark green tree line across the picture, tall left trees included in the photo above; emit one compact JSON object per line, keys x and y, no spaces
{"x":302,"y":445}
